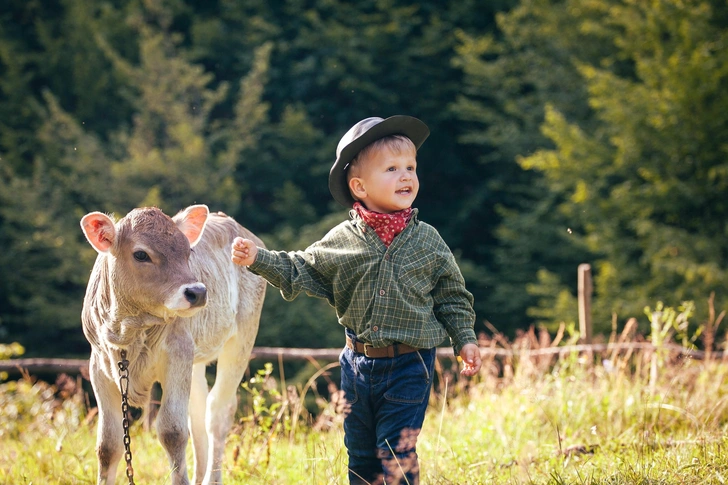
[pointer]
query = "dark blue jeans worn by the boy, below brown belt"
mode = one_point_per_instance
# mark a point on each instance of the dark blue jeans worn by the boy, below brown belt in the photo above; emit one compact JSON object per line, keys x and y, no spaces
{"x":388,"y":399}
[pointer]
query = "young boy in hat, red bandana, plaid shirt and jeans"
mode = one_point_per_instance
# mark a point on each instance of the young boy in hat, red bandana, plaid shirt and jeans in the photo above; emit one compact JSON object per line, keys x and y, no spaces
{"x":396,"y":289}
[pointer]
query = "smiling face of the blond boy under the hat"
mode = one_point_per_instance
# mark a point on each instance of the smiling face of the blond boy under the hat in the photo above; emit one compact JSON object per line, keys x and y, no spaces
{"x":386,"y":181}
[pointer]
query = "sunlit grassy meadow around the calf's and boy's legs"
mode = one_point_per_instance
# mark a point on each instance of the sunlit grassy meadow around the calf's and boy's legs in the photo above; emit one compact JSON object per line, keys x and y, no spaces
{"x":621,"y":417}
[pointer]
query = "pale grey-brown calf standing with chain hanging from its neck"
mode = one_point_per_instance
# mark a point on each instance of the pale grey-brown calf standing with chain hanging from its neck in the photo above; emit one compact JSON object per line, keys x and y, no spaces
{"x":165,"y":291}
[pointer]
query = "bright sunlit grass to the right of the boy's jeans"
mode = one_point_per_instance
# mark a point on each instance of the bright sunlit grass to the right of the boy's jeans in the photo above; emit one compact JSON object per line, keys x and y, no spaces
{"x":579,"y":424}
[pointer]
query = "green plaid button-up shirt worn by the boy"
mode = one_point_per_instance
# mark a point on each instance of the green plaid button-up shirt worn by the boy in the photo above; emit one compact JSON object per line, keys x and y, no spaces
{"x":412,"y":292}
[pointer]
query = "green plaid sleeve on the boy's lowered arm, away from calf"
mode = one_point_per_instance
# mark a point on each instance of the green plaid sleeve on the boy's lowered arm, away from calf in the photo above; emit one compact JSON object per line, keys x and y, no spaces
{"x":453,"y":305}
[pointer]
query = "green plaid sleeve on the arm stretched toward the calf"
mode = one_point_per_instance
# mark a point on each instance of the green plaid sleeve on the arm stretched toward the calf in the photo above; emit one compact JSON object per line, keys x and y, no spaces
{"x":294,"y":272}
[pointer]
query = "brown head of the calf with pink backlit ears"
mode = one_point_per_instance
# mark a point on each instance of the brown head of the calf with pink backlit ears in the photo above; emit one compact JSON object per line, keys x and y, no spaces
{"x":147,"y":254}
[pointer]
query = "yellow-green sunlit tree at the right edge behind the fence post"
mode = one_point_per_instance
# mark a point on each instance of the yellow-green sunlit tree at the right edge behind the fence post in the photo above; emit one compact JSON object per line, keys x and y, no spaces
{"x":648,"y":186}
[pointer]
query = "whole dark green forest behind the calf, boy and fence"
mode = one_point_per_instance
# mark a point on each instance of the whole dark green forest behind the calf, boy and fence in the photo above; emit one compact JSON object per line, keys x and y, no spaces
{"x":563,"y":132}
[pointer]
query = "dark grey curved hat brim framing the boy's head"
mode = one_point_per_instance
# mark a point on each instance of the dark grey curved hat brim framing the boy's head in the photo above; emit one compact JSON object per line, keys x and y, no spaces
{"x":408,"y":126}
